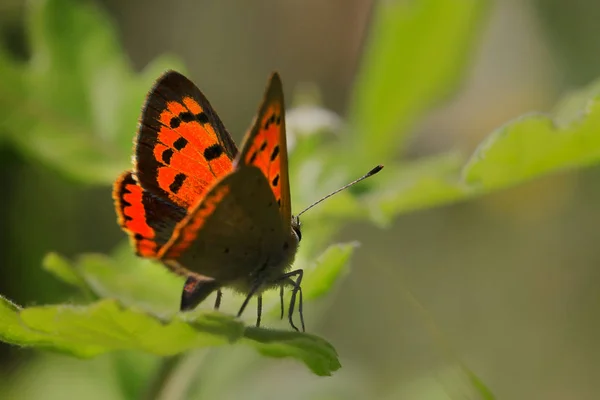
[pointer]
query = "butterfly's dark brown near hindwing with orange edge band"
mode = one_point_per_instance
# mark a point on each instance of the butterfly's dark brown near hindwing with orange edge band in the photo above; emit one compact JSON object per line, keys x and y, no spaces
{"x":233,"y":233}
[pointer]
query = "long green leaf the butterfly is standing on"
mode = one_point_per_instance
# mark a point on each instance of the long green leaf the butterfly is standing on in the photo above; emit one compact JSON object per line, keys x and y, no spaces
{"x":106,"y":326}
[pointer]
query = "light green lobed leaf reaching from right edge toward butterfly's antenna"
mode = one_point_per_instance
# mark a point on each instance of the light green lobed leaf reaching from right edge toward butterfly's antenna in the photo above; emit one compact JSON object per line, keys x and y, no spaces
{"x":526,"y":148}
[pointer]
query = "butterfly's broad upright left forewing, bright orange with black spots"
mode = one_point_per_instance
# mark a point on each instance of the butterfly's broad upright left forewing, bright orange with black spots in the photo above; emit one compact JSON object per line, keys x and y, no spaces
{"x":182,"y":147}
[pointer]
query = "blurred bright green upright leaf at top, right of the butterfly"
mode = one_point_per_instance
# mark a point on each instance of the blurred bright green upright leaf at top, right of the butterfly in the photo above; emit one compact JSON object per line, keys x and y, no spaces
{"x":415,"y":54}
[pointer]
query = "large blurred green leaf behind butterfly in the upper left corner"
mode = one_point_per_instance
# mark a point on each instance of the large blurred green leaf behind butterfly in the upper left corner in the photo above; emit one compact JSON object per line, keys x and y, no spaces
{"x":74,"y":105}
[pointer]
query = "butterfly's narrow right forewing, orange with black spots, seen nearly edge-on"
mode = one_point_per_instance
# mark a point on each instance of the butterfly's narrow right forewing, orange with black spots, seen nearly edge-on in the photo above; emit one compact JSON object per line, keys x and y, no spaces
{"x":265,"y":147}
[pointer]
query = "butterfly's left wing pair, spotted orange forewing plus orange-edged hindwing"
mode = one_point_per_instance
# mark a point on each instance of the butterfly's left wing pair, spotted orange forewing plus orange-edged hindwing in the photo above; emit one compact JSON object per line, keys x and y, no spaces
{"x":181,"y":149}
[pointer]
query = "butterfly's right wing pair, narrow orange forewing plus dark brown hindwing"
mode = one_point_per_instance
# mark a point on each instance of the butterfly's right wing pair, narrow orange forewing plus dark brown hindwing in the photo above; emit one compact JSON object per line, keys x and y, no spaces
{"x":241,"y":230}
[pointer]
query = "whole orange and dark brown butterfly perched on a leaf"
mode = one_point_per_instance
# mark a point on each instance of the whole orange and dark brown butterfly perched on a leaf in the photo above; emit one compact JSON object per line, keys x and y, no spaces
{"x":220,"y":217}
